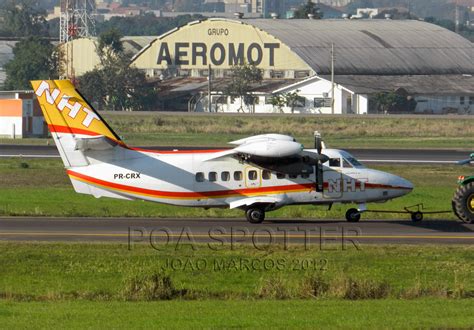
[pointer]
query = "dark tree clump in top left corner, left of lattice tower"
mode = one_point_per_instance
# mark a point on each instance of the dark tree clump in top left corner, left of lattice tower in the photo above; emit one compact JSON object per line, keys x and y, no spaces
{"x":23,"y":19}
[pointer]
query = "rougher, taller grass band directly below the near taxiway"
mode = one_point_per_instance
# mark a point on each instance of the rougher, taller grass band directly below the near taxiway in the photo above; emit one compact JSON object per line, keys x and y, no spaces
{"x":71,"y":271}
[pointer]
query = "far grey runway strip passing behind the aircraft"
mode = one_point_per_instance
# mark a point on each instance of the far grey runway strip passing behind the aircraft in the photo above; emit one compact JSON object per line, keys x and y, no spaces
{"x":400,"y":156}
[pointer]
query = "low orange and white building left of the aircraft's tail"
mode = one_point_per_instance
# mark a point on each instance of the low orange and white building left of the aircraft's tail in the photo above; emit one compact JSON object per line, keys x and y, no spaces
{"x":20,"y":115}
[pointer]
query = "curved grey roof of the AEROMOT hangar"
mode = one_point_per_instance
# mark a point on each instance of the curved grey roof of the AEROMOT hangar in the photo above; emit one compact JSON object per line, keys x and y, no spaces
{"x":373,"y":47}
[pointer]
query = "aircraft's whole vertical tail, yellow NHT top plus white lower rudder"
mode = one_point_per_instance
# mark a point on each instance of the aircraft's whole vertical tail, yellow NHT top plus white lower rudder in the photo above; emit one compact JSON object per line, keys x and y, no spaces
{"x":71,"y":120}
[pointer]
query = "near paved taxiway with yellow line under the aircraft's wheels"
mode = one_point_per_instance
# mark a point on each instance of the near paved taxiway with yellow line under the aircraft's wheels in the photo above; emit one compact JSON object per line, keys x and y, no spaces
{"x":224,"y":232}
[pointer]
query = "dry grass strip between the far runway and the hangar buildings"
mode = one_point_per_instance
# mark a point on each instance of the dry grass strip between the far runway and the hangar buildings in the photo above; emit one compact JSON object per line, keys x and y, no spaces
{"x":338,"y":131}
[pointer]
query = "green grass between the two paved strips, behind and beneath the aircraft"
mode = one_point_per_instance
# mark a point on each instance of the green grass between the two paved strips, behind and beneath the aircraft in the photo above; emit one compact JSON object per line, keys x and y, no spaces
{"x":46,"y":187}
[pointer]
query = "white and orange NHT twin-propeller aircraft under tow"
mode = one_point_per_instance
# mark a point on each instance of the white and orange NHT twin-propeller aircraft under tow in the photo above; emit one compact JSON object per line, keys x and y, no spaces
{"x":261,"y":173}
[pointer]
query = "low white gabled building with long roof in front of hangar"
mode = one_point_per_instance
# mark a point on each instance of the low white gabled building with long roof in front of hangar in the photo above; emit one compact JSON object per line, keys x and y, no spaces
{"x":438,"y":94}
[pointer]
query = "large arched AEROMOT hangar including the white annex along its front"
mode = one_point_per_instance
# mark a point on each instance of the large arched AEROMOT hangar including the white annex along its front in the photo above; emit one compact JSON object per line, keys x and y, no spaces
{"x":403,"y":56}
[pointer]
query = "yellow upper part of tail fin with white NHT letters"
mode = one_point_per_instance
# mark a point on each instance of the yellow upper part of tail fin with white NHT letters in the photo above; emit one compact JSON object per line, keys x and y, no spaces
{"x":66,"y":111}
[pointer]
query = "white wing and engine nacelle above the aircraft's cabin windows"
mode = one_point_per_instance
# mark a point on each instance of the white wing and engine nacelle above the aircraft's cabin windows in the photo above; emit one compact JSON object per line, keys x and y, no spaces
{"x":275,"y":152}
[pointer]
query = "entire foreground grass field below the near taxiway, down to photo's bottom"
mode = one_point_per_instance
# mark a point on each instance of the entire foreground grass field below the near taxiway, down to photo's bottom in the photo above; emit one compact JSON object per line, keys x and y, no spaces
{"x":88,"y":285}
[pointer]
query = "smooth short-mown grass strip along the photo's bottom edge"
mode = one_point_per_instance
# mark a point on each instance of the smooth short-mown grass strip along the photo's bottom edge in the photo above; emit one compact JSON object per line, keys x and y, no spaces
{"x":394,"y":314}
